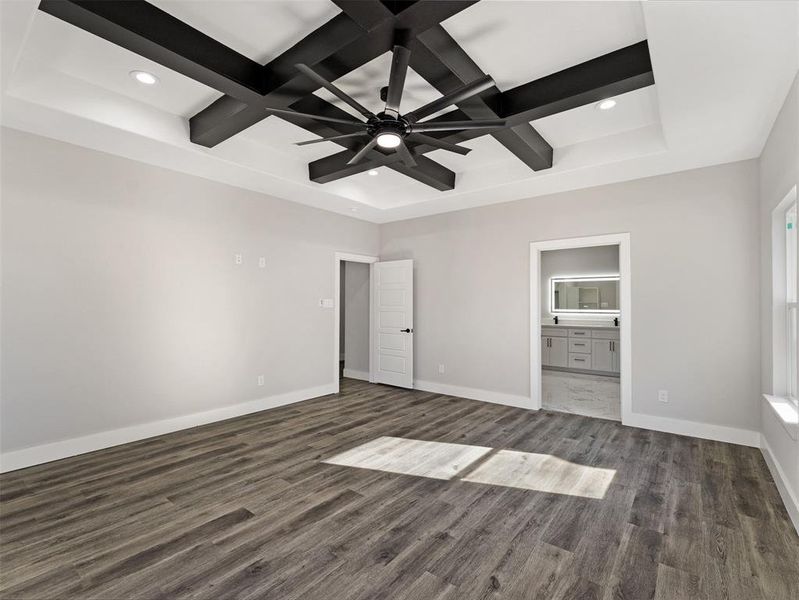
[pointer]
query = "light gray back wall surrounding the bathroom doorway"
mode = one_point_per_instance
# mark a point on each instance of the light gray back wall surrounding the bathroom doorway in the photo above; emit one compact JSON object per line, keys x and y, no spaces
{"x":694,"y":231}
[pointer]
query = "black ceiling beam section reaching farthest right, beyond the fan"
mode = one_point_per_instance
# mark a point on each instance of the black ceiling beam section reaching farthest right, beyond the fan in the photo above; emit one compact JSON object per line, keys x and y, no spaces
{"x":611,"y":74}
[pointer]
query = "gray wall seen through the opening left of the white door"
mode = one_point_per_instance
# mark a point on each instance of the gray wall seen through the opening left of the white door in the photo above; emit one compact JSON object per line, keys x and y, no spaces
{"x":356,"y":330}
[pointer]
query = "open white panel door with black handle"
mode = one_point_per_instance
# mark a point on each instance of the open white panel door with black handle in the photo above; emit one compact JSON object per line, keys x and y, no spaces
{"x":394,"y":322}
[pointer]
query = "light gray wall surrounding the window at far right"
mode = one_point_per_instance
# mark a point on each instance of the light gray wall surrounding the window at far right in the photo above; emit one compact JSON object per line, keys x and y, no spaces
{"x":779,"y":172}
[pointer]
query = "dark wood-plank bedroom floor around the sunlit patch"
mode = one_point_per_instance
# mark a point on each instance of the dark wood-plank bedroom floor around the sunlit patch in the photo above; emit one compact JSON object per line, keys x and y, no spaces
{"x":245,"y":509}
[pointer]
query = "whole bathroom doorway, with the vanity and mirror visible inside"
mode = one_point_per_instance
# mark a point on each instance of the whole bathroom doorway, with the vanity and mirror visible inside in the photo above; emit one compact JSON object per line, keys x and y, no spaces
{"x":580,"y":326}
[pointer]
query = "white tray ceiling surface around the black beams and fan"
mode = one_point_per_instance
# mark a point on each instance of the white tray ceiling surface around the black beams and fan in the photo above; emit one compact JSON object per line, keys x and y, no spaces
{"x":721,"y":72}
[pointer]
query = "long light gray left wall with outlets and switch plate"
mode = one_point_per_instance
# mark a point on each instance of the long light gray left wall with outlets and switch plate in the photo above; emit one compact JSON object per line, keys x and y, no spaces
{"x":121,"y":301}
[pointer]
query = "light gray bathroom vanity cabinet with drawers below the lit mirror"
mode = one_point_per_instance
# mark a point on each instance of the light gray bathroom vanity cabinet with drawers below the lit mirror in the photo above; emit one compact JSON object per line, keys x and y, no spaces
{"x":570,"y":347}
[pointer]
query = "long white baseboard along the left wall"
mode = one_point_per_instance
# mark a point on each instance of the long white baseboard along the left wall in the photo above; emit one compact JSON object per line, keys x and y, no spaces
{"x":26,"y":457}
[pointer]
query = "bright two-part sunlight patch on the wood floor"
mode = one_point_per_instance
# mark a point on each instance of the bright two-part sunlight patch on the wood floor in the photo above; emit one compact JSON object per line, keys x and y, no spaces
{"x":506,"y":468}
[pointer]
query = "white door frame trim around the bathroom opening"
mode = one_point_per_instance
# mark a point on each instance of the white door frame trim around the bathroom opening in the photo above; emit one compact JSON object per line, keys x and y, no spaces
{"x":622,"y":240}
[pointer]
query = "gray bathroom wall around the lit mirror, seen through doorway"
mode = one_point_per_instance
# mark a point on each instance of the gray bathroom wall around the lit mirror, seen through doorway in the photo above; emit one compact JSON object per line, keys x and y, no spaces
{"x":573,"y":262}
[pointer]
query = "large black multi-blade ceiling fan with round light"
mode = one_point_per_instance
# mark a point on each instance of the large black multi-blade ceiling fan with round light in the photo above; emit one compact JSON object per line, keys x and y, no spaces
{"x":389,"y":129}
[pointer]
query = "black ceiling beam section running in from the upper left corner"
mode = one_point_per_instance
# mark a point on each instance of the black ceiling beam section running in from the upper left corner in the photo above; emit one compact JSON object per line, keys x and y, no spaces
{"x":155,"y":34}
